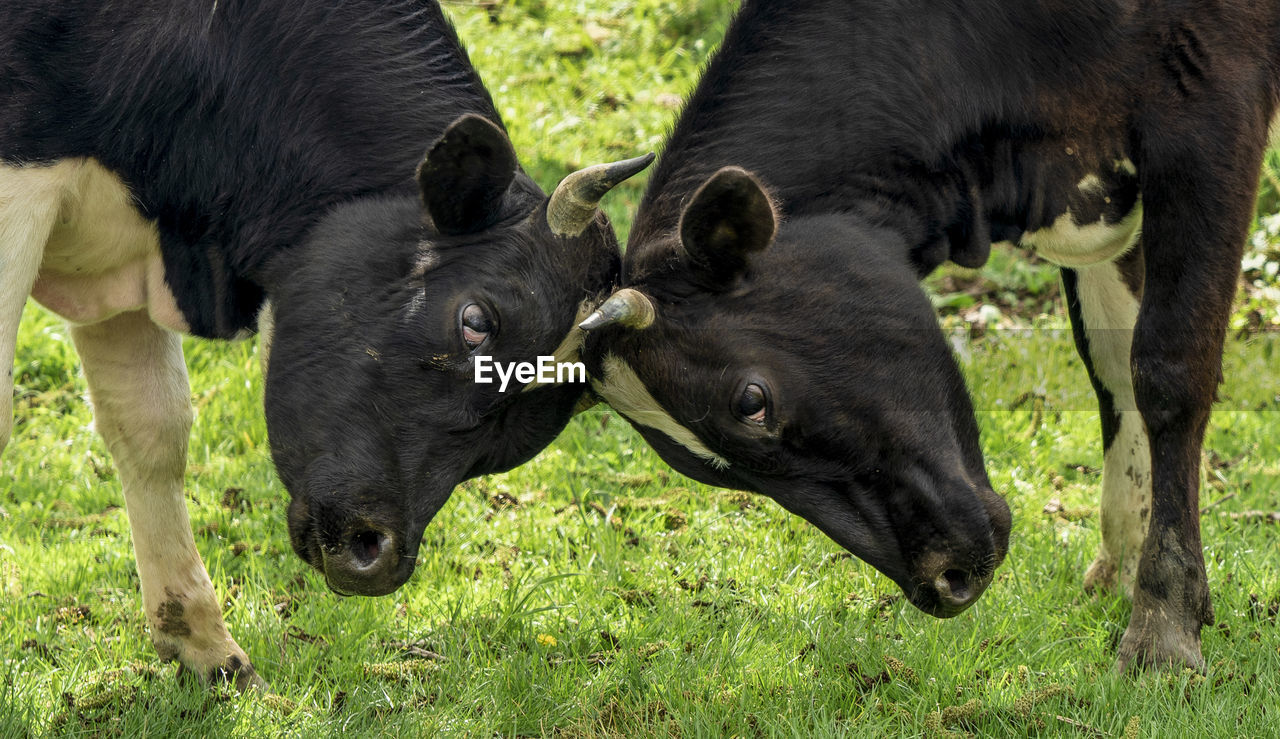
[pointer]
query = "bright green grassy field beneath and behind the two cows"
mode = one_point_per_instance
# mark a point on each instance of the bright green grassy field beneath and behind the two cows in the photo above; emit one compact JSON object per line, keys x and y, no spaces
{"x":595,"y":592}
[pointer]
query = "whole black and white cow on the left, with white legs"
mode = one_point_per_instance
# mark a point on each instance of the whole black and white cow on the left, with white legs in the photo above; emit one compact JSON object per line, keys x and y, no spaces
{"x":170,"y":166}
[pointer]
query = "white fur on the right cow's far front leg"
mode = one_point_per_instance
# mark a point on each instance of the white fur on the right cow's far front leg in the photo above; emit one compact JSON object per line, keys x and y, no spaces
{"x":1110,"y":312}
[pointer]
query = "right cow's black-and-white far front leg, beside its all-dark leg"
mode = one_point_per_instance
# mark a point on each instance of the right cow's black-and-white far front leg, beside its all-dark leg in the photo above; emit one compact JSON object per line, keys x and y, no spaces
{"x":1103,"y":302}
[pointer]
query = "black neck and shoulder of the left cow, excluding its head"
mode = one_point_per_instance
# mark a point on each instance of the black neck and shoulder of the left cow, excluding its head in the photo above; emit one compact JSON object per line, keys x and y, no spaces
{"x":235,"y":125}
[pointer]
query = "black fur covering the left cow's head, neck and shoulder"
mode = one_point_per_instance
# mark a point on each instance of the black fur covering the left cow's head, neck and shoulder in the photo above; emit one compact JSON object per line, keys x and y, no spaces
{"x":276,"y":145}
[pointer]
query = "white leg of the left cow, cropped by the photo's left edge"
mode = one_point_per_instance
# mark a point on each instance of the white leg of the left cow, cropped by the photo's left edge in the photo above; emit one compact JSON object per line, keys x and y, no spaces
{"x":30,"y":199}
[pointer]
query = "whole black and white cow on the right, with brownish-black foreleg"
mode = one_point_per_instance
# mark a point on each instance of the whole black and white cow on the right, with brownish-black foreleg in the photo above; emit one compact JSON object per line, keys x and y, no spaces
{"x":772,"y":337}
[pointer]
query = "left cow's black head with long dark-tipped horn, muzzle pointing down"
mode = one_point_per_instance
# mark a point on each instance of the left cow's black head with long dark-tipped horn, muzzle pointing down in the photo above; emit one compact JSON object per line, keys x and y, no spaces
{"x":372,"y":404}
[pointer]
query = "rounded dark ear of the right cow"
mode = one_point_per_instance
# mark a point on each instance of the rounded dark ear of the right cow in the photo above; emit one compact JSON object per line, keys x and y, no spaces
{"x":730,"y":218}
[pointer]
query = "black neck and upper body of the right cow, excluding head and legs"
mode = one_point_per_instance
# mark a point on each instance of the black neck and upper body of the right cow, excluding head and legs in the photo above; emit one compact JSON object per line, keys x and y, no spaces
{"x":948,"y":111}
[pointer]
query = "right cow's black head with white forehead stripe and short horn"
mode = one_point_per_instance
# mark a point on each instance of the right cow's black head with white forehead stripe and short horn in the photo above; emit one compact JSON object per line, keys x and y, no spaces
{"x":803,"y":362}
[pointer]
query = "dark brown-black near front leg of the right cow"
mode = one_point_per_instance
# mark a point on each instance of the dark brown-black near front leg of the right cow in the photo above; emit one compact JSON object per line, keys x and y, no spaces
{"x":1199,"y":184}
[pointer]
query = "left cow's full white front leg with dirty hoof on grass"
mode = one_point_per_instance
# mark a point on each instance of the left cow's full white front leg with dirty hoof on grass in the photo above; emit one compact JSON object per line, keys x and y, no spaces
{"x":143,"y":408}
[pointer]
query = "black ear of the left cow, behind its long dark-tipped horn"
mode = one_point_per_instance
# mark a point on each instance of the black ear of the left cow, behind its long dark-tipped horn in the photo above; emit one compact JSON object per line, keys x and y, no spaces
{"x":465,"y":176}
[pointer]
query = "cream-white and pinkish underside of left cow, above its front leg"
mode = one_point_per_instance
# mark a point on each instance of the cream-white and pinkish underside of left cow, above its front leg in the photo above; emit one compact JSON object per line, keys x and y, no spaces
{"x":102,"y":257}
